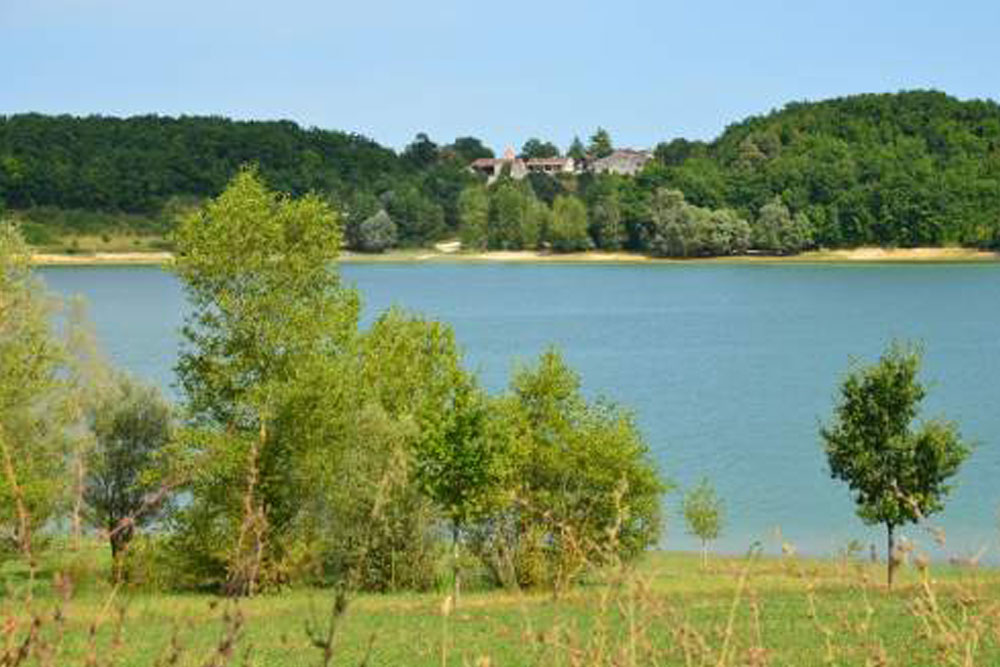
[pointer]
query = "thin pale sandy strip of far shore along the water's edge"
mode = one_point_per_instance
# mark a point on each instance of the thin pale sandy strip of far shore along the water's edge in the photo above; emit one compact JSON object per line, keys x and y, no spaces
{"x":448,"y":254}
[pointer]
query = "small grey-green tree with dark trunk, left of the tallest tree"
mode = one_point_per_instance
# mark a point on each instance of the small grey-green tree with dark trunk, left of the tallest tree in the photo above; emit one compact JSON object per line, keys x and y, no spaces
{"x":132,"y":424}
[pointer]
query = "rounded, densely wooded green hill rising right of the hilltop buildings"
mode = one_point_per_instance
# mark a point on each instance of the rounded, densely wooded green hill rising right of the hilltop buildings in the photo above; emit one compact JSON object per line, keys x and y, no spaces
{"x":907,"y":169}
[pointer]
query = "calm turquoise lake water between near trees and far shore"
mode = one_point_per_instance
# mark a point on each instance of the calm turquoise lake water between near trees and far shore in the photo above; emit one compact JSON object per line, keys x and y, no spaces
{"x":730,"y":368}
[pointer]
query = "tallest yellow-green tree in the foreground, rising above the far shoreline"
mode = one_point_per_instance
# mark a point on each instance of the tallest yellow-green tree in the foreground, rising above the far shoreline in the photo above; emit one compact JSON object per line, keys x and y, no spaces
{"x":267,"y":302}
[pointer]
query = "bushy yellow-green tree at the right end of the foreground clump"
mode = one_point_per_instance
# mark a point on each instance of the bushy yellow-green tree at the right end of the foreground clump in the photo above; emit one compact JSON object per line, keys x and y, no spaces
{"x":586,"y":491}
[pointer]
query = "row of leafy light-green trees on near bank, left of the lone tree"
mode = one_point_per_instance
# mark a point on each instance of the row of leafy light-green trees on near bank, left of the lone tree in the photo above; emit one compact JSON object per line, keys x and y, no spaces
{"x":307,"y":450}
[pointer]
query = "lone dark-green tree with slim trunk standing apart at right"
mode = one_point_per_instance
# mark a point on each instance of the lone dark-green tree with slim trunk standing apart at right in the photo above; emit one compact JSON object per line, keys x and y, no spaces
{"x":898,"y":473}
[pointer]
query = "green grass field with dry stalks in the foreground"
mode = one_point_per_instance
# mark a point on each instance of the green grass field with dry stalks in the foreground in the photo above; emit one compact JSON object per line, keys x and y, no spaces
{"x":668,"y":611}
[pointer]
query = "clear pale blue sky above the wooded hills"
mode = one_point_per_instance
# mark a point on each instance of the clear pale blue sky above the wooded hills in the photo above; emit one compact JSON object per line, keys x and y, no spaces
{"x":504,"y":71}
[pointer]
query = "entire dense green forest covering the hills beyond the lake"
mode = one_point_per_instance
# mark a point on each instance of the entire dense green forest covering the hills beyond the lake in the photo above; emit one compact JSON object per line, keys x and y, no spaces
{"x":906,"y":169}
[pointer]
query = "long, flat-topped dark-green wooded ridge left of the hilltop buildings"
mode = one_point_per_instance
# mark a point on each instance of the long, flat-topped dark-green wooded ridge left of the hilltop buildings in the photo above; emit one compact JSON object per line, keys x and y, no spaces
{"x":136,"y":164}
